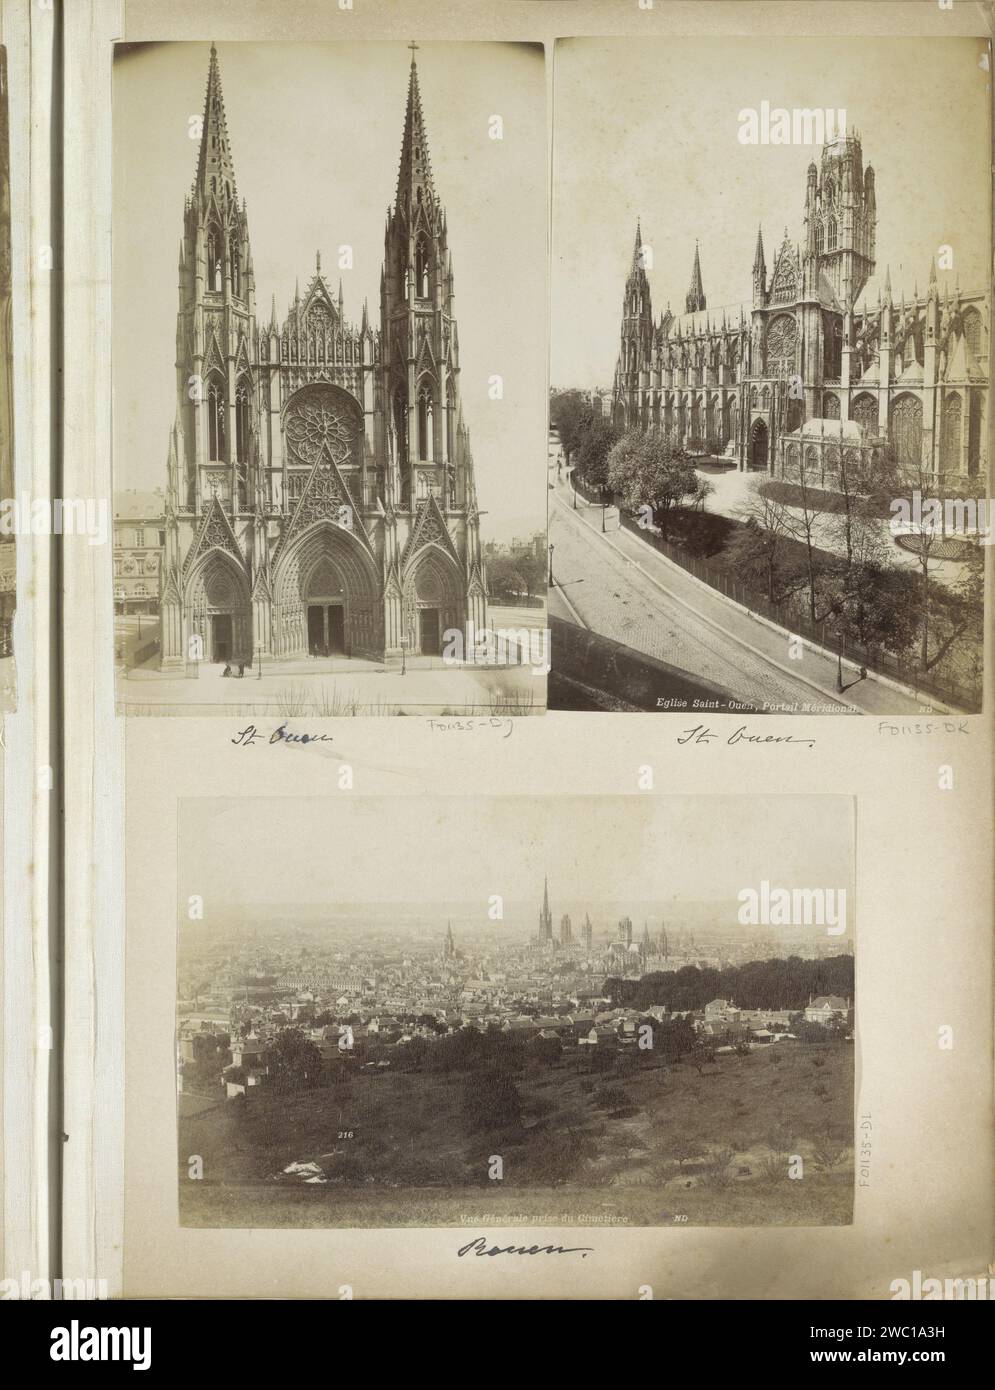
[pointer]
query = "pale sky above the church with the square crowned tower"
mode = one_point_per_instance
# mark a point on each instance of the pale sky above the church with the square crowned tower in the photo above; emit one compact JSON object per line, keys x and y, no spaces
{"x":650,"y":129}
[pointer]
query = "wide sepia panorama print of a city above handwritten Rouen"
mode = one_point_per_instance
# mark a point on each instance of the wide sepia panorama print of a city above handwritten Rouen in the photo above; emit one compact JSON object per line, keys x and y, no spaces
{"x":651,"y":1028}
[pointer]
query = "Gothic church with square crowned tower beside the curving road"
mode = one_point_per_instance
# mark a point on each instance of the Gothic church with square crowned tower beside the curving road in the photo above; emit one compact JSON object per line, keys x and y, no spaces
{"x":814,"y":344}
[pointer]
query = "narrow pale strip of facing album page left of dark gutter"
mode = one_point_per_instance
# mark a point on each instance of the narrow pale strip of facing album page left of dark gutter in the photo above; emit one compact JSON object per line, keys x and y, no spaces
{"x":31,"y":536}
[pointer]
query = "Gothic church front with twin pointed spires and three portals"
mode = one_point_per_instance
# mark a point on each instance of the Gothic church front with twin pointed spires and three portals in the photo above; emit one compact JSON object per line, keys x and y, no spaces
{"x":320,"y":494}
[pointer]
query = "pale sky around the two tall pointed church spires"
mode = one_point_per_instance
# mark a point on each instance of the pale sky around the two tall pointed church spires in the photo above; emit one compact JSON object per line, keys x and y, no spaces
{"x":316,"y":136}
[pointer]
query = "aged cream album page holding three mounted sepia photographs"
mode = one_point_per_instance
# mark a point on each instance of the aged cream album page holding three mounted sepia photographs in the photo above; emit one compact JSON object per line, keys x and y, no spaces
{"x":651,"y":997}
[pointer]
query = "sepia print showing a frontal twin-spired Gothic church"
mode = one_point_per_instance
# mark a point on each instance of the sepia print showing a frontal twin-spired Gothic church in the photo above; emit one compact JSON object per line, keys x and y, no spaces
{"x":326,"y":473}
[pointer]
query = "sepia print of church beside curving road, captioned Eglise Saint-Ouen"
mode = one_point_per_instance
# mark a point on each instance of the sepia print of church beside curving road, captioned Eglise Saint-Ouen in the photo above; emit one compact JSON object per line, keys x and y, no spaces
{"x":769,"y":469}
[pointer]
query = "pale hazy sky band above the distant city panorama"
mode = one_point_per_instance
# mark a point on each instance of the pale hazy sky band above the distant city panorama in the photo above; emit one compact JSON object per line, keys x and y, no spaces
{"x":345,"y":851}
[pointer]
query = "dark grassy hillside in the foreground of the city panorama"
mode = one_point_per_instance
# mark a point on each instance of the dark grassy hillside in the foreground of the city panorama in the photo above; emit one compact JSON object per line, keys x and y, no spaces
{"x":640,"y":1143}
